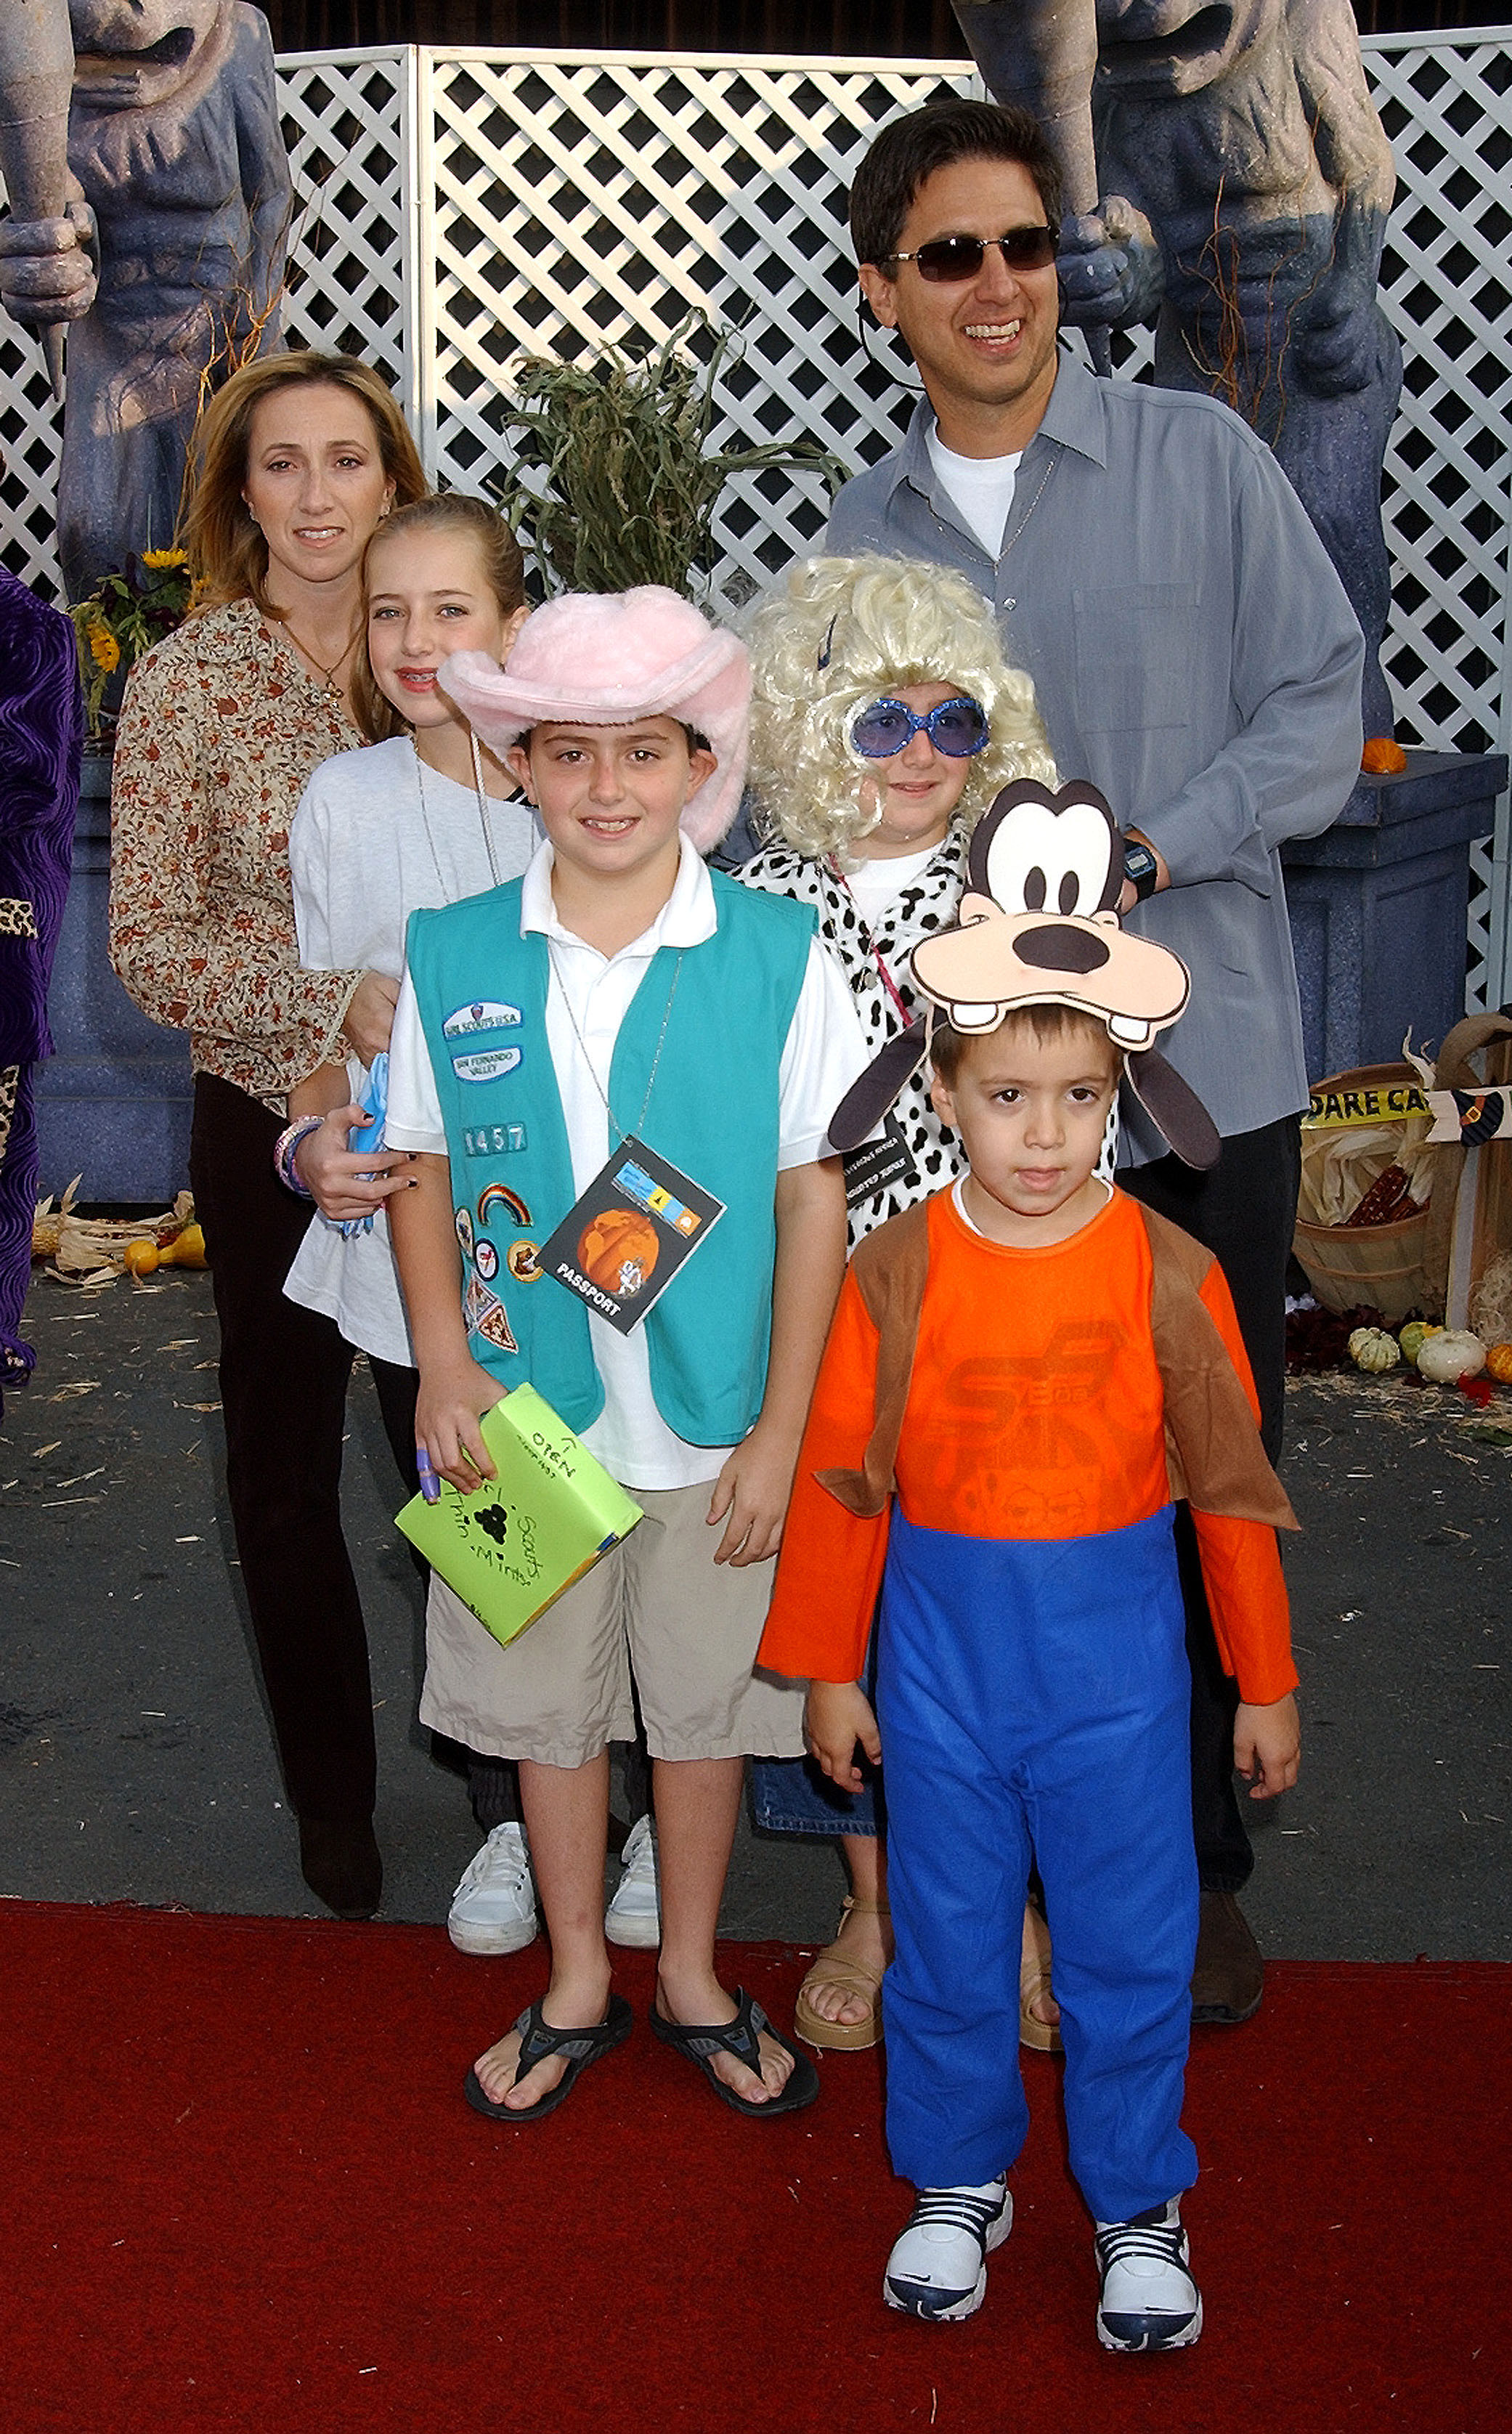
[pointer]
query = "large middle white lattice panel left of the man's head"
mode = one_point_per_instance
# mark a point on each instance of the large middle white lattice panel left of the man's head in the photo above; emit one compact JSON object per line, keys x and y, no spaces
{"x":581,"y":201}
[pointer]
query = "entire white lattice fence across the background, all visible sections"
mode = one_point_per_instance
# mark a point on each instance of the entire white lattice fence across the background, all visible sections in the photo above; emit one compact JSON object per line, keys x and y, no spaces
{"x":561,"y":201}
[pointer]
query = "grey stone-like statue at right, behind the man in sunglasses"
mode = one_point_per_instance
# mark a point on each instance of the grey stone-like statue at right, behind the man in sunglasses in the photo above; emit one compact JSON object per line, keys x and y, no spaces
{"x":1245,"y":181}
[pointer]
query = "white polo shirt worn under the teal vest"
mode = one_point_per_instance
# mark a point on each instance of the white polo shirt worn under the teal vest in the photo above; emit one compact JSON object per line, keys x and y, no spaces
{"x":822,"y":1058}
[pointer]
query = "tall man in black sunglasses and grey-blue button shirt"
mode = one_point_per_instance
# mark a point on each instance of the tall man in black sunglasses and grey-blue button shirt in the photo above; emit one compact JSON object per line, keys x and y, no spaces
{"x":1194,"y":656}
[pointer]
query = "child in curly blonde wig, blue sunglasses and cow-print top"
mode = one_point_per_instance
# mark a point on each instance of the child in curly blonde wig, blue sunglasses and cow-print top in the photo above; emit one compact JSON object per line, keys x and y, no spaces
{"x":885,"y":722}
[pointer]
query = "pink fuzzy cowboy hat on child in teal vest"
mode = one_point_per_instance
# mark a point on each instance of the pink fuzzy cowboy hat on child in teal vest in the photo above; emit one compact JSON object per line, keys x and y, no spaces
{"x":610,"y":658}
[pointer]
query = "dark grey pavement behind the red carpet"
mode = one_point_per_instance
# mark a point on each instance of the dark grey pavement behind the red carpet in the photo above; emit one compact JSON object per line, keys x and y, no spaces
{"x":135,"y":1759}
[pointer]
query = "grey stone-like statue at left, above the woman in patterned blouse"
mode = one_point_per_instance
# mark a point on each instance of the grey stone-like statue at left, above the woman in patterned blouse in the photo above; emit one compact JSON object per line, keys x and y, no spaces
{"x":164,"y":257}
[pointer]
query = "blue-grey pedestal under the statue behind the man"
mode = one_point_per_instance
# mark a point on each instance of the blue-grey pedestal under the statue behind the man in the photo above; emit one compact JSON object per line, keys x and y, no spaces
{"x":1379,"y":909}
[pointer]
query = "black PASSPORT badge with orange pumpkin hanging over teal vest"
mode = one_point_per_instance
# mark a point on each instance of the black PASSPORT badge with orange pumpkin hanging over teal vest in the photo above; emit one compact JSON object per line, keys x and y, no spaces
{"x":627,"y":1238}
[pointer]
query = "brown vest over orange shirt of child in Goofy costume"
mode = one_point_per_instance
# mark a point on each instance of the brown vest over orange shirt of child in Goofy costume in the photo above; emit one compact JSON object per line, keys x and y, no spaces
{"x":1214,"y":1452}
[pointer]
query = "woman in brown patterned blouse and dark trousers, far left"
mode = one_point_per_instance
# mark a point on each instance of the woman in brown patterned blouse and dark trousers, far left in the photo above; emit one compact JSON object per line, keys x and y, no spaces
{"x":301,"y":459}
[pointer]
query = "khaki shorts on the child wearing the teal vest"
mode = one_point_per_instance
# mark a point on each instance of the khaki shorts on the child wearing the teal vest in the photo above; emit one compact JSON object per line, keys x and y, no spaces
{"x":659,"y":1608}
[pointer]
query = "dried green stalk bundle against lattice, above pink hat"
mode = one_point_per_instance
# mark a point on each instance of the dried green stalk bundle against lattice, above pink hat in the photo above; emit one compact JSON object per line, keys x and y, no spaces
{"x":615,"y":481}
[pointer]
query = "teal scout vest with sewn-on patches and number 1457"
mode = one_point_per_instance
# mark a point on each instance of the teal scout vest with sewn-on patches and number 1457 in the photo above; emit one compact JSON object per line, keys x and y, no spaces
{"x":481,"y":992}
